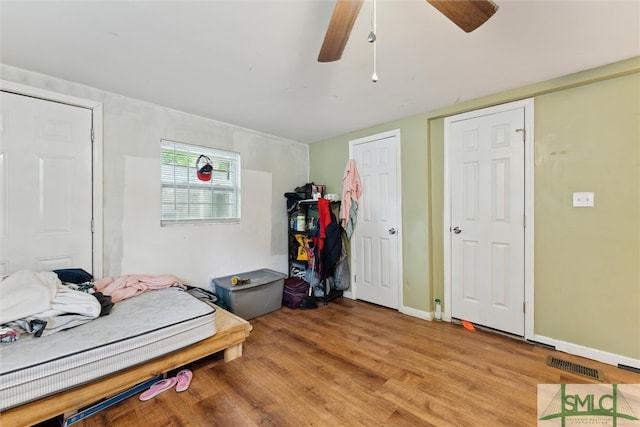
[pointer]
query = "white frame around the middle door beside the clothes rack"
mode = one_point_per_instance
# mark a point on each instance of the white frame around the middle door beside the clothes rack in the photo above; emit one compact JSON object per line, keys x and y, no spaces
{"x":352,"y":248}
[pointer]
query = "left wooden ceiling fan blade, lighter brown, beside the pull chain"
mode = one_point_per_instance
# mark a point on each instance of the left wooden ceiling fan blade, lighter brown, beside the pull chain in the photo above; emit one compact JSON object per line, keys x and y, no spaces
{"x":342,"y":20}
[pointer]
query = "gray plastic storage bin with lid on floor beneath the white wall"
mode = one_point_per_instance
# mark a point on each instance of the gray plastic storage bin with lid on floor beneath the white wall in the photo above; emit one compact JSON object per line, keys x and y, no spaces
{"x":261,"y":295}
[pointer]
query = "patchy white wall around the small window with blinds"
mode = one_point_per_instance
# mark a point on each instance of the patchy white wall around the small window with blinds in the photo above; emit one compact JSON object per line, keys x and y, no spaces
{"x":134,"y":242}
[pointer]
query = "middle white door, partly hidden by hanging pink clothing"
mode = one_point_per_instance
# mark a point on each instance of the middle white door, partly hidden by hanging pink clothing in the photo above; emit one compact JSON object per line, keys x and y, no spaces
{"x":375,"y":244}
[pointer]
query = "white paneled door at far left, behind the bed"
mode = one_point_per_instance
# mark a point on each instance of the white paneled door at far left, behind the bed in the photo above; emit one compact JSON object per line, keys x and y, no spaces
{"x":46,"y":188}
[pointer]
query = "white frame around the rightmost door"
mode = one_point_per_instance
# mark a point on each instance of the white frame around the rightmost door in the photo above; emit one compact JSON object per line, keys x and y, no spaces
{"x":527,"y":104}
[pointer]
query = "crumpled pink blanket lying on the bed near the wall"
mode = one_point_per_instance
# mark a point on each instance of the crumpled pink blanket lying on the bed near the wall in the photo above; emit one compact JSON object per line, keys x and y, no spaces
{"x":122,"y":287}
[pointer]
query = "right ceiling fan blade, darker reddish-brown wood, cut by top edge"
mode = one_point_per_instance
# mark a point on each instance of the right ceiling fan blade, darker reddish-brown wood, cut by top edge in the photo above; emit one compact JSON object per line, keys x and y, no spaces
{"x":466,"y":14}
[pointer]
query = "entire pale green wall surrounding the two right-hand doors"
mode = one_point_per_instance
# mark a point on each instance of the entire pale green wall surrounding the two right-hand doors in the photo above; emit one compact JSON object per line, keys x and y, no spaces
{"x":587,"y":260}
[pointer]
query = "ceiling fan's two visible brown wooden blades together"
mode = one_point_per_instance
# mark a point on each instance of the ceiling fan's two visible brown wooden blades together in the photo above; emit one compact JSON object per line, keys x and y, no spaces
{"x":466,"y":14}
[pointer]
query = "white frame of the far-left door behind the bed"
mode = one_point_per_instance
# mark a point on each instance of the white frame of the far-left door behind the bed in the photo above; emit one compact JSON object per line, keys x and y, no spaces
{"x":96,"y":150}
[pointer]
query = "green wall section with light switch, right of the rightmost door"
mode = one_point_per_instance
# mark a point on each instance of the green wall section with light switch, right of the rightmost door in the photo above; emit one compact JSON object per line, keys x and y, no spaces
{"x":587,"y":281}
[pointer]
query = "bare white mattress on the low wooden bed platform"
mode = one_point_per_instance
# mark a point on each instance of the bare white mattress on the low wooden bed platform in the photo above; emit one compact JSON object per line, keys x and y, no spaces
{"x":137,"y":330}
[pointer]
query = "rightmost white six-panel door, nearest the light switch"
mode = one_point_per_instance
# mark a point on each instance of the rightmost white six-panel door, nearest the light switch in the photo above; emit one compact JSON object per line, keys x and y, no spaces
{"x":487,"y":196}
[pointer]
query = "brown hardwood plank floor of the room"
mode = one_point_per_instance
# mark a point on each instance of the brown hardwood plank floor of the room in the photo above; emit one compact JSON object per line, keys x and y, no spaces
{"x":356,"y":364}
